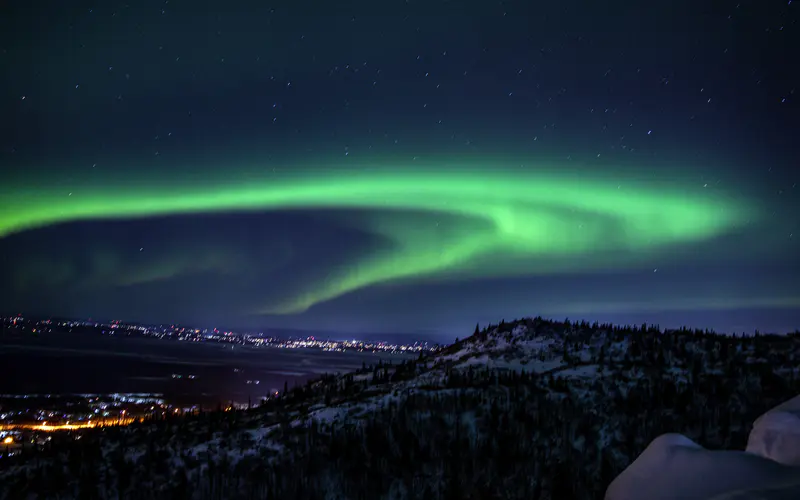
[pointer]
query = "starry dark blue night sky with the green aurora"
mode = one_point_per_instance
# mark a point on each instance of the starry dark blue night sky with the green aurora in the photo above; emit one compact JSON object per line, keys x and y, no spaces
{"x":401,"y":166}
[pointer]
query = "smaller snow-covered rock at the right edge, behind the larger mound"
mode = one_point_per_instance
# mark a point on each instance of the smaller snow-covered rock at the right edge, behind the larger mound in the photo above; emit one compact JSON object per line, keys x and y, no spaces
{"x":776,"y":434}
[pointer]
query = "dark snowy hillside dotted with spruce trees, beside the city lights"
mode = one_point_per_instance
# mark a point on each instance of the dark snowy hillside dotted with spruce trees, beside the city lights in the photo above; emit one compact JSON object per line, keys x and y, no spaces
{"x":529,"y":409}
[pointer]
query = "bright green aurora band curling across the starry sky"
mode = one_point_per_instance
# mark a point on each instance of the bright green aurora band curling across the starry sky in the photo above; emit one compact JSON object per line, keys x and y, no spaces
{"x":430,"y":222}
